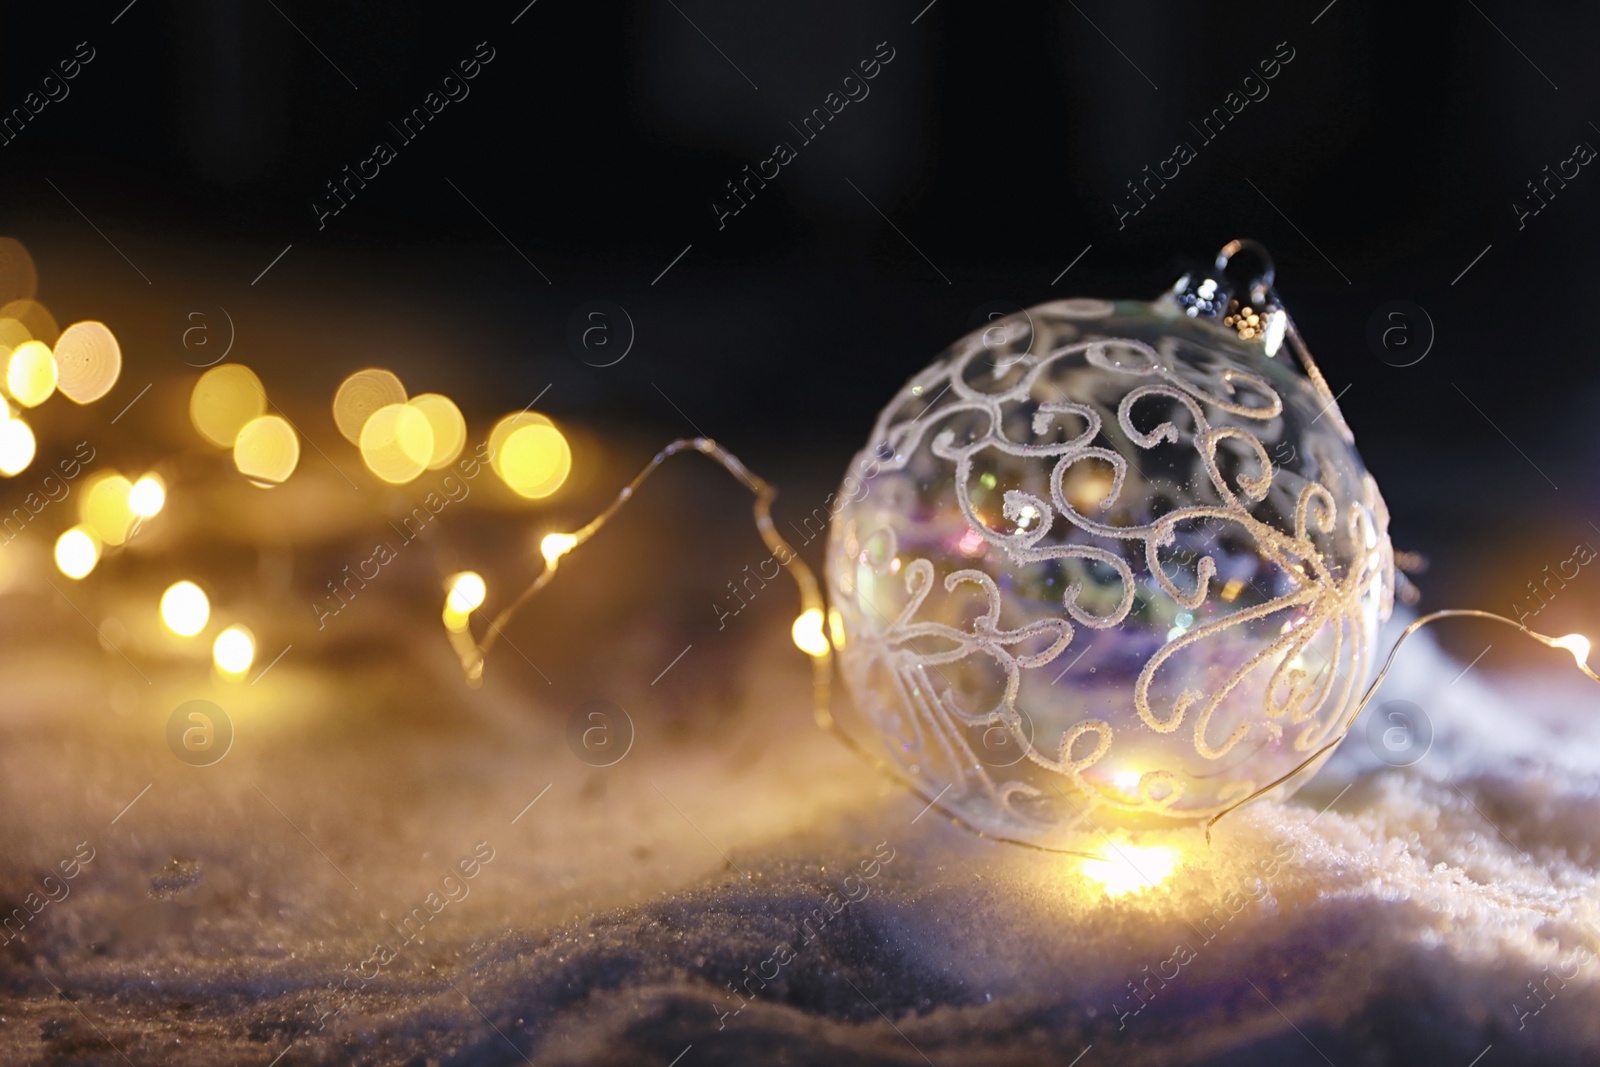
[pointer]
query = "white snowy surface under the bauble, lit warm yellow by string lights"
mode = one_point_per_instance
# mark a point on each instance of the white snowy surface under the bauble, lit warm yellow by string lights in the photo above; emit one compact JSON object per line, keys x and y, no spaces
{"x":1383,"y":916}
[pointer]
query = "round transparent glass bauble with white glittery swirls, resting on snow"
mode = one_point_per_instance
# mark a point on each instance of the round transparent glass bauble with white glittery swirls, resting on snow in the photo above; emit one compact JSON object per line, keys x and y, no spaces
{"x":1106,"y":564}
